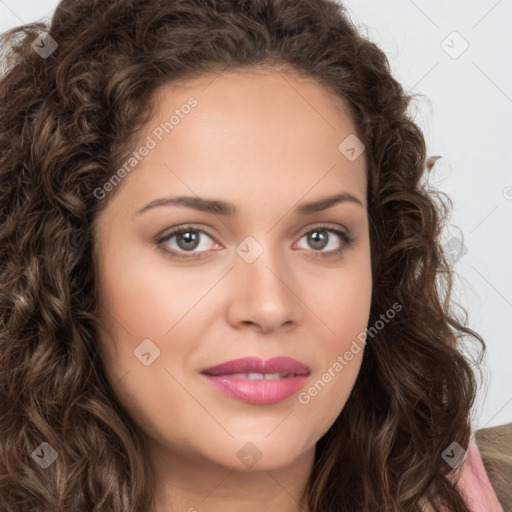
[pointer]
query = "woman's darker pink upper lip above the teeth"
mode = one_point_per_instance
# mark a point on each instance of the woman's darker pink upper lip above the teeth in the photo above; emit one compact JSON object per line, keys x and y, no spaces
{"x":258,"y":365}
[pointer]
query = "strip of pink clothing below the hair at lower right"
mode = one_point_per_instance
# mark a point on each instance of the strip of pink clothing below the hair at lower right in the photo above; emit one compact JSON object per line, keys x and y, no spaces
{"x":474,"y":483}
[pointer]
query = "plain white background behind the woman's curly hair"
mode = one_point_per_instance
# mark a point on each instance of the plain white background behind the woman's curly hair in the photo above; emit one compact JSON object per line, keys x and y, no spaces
{"x":467,"y":119}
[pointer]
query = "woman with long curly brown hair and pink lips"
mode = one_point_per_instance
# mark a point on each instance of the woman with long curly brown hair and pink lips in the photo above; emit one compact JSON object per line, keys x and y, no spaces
{"x":199,"y":198}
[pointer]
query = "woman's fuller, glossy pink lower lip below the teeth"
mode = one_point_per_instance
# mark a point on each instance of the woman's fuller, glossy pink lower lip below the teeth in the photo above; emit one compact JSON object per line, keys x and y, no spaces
{"x":257,"y":391}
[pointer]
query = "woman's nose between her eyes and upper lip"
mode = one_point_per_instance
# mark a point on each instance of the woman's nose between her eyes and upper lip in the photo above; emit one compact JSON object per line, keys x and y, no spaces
{"x":265,"y":295}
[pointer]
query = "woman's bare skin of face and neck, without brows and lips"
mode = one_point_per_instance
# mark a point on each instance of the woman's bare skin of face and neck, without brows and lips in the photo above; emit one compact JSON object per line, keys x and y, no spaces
{"x":265,"y":141}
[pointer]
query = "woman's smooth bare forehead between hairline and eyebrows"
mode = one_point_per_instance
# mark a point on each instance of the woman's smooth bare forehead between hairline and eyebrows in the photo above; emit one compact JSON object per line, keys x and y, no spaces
{"x":268,"y":132}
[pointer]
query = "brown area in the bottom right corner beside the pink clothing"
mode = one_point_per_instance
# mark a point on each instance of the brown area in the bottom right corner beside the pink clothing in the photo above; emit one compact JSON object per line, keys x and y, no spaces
{"x":495,"y":446}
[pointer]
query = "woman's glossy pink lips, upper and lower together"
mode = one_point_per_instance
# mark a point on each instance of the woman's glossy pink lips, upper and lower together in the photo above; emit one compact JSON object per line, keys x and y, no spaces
{"x":262,"y":391}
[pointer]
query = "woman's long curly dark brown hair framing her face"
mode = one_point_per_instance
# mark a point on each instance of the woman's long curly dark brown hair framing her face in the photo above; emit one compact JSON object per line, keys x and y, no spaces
{"x":69,"y":120}
